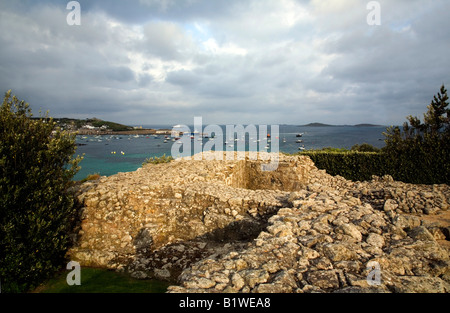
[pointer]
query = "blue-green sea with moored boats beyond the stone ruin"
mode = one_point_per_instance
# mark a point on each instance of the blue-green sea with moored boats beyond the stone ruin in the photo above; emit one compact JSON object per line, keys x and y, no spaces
{"x":110,"y":154}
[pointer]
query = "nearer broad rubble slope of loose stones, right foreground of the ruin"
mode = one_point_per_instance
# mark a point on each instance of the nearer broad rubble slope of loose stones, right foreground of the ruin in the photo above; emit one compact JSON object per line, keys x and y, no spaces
{"x":331,"y":238}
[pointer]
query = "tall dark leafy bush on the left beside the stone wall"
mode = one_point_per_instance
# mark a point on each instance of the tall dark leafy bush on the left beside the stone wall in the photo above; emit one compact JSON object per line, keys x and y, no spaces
{"x":36,"y":209}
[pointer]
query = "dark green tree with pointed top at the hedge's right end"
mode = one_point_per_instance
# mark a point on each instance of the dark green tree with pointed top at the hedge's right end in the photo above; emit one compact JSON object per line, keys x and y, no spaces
{"x":420,"y":153}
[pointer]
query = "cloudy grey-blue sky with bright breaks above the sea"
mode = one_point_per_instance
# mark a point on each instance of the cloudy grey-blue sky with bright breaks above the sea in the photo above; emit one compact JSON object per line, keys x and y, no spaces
{"x":150,"y":62}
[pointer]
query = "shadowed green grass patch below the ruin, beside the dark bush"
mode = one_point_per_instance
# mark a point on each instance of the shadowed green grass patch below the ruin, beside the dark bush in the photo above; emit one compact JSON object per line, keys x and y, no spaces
{"x":95,"y":280}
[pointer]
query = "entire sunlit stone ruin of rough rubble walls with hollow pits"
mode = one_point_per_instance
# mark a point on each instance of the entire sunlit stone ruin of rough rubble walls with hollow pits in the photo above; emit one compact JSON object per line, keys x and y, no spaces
{"x":216,"y":226}
